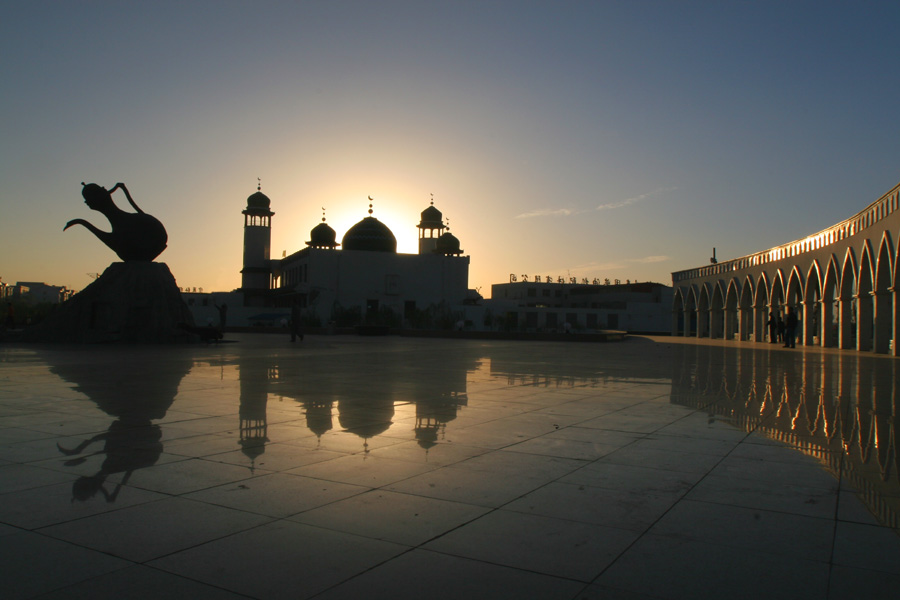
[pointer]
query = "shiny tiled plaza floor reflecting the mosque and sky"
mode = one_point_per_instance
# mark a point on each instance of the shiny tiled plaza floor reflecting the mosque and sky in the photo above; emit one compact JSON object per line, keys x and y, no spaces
{"x":352,"y":467}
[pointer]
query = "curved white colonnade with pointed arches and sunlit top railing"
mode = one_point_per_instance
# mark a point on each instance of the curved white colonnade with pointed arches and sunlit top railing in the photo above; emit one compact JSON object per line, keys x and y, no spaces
{"x":843,"y":283}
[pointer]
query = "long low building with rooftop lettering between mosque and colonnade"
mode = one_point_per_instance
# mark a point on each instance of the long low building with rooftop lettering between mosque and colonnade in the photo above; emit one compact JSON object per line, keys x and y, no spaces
{"x":556,"y":306}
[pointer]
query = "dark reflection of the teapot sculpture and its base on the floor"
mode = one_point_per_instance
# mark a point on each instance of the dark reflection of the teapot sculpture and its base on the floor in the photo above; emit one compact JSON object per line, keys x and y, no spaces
{"x":136,"y":392}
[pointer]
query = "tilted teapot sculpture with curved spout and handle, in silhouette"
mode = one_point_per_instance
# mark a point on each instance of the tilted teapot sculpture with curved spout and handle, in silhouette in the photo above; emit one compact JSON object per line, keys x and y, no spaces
{"x":134,"y":236}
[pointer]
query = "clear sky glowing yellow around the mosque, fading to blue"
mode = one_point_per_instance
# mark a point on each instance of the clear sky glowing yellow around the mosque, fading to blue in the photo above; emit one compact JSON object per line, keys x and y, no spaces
{"x":590,"y":139}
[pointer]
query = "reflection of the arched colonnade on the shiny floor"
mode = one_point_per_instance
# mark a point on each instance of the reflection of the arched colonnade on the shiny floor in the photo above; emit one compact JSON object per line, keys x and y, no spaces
{"x":842,"y":409}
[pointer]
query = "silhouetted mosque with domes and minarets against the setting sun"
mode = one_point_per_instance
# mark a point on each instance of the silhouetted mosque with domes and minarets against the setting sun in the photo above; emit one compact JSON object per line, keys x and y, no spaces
{"x":362,"y":278}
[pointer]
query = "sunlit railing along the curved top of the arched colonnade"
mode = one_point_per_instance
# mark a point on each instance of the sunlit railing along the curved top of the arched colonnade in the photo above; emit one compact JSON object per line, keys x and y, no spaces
{"x":878,"y":210}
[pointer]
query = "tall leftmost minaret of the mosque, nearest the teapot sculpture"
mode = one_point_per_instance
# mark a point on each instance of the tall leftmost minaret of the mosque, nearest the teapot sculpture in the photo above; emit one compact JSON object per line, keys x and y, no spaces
{"x":256,"y":273}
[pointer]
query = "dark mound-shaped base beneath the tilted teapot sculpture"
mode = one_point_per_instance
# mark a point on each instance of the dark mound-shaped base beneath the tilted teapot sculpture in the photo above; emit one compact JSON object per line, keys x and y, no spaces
{"x":131,"y":302}
